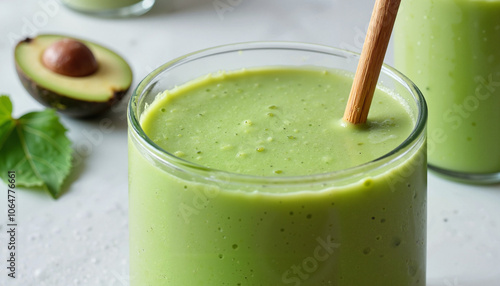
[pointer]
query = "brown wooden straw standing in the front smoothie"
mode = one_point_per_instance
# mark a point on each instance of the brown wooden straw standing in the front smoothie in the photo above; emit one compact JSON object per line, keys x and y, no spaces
{"x":370,"y":62}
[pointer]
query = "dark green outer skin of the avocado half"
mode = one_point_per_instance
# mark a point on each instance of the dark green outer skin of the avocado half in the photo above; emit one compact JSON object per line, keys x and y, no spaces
{"x":66,"y":105}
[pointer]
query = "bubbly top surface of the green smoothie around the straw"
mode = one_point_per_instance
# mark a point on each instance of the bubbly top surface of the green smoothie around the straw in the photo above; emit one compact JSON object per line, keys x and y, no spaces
{"x":273,"y":122}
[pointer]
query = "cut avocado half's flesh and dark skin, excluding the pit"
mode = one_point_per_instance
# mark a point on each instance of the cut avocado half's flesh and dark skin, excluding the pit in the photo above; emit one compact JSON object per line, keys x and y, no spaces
{"x":84,"y":96}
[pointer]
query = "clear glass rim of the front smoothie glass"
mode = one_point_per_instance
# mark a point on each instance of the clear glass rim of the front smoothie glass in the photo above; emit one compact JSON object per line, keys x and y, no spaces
{"x":417,"y":131}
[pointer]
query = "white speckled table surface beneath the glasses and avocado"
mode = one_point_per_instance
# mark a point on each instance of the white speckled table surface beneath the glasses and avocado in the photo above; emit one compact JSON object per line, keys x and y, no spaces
{"x":82,"y":238}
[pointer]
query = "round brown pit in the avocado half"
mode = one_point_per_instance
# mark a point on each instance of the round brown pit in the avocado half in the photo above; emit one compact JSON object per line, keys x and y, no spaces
{"x":70,"y":57}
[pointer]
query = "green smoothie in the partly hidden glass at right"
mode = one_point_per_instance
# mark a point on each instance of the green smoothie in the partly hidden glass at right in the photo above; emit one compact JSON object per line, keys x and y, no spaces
{"x":450,"y":49}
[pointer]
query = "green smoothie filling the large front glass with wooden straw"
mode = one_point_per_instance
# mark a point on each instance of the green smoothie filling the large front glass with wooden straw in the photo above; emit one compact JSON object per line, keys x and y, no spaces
{"x":273,"y":123}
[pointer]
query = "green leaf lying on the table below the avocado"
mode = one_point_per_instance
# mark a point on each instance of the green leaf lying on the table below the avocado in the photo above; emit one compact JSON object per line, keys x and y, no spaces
{"x":35,"y":146}
